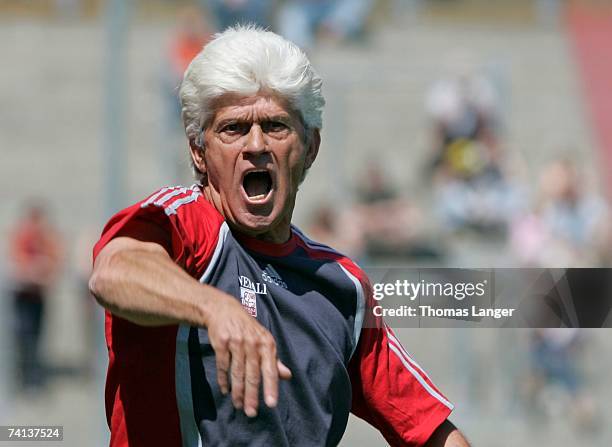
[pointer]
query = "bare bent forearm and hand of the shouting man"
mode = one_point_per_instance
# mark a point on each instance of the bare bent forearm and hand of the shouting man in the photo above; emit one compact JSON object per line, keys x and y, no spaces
{"x":138,"y":281}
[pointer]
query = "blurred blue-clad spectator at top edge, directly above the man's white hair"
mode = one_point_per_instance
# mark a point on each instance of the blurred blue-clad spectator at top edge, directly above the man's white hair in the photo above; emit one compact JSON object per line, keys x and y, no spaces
{"x":230,"y":12}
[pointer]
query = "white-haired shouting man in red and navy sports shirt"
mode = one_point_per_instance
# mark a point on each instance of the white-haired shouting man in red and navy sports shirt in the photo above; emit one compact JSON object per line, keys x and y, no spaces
{"x":271,"y":346}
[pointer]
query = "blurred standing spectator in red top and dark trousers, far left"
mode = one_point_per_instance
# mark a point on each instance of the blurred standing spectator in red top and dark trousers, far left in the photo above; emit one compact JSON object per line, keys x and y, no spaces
{"x":35,"y":256}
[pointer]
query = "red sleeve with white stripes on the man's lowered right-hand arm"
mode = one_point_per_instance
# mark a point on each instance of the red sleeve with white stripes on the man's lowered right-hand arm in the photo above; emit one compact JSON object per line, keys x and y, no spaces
{"x":391,"y":391}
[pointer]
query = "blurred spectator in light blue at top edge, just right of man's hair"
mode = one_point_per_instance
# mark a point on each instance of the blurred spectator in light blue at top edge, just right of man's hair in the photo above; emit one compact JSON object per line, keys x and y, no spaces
{"x":302,"y":20}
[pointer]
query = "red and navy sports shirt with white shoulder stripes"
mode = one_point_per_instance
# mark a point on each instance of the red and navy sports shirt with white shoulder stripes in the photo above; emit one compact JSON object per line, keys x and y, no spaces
{"x":161,"y":385}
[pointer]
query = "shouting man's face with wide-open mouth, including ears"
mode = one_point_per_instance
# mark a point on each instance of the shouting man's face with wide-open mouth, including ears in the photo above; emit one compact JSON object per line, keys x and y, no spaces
{"x":256,"y":153}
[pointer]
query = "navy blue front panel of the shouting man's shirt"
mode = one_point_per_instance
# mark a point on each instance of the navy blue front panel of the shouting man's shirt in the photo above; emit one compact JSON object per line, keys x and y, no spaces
{"x":309,"y":306}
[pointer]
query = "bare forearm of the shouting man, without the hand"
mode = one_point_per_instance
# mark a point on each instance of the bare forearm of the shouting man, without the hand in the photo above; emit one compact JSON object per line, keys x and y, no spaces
{"x":138,"y":281}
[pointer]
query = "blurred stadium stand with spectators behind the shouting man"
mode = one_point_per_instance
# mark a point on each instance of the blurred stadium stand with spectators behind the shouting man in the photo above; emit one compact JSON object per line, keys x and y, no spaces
{"x":457,"y":133}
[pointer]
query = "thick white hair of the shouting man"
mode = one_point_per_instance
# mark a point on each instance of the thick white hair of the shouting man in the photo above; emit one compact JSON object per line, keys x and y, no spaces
{"x":245,"y":60}
